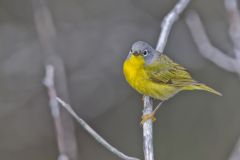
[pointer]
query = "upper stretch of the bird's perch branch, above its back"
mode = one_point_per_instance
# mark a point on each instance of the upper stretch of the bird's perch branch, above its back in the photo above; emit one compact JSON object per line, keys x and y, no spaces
{"x":167,"y":23}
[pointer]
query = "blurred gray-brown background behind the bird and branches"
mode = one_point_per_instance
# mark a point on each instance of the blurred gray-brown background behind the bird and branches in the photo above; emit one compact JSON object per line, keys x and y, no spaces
{"x":93,"y":39}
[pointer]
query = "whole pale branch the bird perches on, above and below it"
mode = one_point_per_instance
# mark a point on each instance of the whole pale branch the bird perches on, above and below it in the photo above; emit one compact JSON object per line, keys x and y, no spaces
{"x":166,"y":26}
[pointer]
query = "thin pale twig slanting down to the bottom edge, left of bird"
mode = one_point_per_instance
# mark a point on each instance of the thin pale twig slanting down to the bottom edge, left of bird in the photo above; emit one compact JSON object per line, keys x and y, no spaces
{"x":93,"y":133}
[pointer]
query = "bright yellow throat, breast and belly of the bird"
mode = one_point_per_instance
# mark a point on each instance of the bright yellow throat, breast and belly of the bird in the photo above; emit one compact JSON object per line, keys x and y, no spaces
{"x":136,"y":76}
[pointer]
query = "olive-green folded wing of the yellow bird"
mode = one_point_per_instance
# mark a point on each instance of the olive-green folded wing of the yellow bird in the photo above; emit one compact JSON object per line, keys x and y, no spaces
{"x":164,"y":70}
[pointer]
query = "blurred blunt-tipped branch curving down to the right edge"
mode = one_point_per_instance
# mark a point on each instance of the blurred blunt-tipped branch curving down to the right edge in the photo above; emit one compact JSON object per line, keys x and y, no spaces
{"x":205,"y":47}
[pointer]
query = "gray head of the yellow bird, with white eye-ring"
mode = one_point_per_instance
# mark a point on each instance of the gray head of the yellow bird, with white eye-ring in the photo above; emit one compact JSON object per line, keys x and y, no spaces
{"x":141,"y":48}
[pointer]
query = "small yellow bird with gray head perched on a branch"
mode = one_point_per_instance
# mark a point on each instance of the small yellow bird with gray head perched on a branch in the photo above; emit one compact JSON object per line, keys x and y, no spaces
{"x":154,"y":74}
